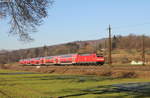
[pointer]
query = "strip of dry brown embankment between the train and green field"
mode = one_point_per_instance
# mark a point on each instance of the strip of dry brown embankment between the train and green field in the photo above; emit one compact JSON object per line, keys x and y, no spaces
{"x":115,"y":72}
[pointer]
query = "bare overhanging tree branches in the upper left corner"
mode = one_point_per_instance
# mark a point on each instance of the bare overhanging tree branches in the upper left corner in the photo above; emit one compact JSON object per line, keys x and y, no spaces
{"x":24,"y":15}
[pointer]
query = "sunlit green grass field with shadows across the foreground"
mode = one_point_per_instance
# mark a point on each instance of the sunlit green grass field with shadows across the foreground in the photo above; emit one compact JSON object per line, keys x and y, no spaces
{"x":15,"y":84}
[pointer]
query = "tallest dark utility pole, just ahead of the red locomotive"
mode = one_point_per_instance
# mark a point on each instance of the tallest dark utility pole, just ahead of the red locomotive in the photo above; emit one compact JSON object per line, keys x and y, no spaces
{"x":110,"y":46}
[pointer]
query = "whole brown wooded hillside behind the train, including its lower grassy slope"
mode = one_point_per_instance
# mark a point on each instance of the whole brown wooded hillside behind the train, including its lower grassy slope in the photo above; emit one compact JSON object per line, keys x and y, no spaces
{"x":123,"y":48}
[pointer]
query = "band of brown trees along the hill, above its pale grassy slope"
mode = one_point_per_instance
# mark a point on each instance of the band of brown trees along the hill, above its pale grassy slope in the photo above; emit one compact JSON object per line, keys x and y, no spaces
{"x":96,"y":46}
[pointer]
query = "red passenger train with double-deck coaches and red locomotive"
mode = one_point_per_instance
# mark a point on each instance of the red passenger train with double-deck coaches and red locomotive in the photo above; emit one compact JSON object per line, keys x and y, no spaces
{"x":72,"y":59}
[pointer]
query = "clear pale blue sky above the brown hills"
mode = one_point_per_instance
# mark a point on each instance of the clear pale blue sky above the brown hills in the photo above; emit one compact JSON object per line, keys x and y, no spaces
{"x":76,"y":20}
